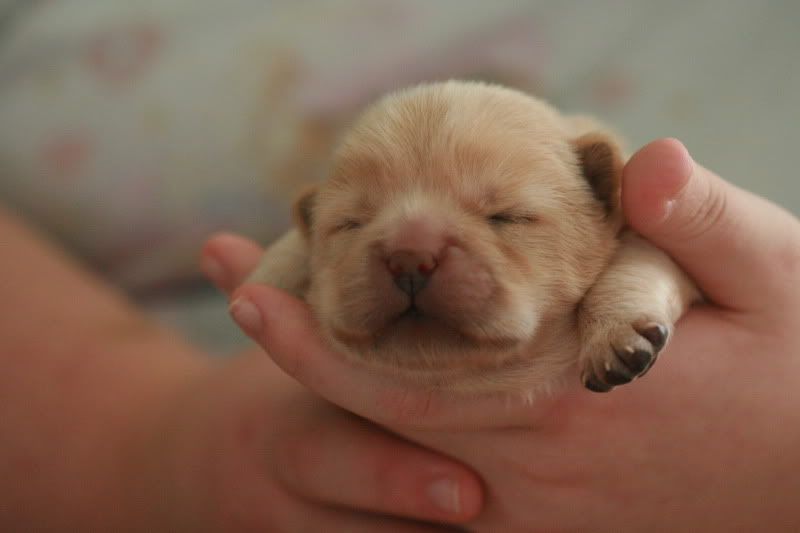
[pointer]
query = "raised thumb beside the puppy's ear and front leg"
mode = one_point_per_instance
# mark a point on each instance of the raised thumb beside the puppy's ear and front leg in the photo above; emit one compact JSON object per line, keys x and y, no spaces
{"x":741,"y":250}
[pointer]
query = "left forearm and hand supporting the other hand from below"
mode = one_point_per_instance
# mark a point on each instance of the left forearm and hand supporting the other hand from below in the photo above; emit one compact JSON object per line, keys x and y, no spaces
{"x":110,"y":422}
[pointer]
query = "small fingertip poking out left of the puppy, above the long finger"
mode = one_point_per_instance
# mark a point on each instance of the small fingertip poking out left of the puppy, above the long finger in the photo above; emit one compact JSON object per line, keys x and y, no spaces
{"x":228,"y":259}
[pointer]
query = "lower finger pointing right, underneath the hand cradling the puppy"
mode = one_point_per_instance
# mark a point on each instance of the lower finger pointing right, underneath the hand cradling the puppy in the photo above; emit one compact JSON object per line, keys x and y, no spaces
{"x":345,"y":461}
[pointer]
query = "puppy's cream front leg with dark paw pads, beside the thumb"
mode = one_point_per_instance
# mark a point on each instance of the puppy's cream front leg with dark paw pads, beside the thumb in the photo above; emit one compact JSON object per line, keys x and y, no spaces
{"x":629,"y":314}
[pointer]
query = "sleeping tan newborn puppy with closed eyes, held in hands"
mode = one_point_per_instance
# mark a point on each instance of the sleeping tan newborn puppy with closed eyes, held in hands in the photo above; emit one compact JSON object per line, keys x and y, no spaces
{"x":470,"y":238}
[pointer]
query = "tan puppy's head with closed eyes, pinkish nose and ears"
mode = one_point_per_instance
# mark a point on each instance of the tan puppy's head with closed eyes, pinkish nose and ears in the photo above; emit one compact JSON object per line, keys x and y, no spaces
{"x":459,"y":220}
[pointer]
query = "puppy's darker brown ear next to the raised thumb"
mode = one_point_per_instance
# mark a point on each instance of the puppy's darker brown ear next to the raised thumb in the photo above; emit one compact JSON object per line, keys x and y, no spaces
{"x":600,"y":159}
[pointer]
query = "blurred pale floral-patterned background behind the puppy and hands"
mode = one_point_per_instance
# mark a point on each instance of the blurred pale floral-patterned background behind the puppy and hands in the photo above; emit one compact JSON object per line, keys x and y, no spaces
{"x":131,"y":131}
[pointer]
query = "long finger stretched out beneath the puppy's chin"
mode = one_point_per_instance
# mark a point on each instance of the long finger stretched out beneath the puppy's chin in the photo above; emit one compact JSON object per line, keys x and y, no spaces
{"x":284,"y":327}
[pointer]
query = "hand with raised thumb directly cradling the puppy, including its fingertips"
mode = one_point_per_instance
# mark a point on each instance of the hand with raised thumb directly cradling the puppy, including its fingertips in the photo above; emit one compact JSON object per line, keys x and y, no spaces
{"x":709,"y":440}
